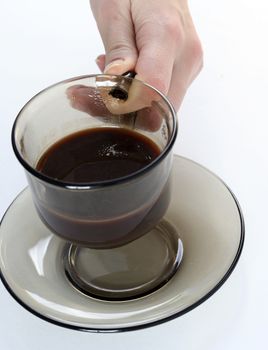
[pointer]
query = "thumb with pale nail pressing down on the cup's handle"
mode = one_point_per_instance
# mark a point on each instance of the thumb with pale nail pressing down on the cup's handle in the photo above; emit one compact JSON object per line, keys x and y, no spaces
{"x":116,"y":30}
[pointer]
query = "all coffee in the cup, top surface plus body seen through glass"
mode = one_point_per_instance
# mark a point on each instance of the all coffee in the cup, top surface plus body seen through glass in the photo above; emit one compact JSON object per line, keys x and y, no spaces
{"x":103,"y":217}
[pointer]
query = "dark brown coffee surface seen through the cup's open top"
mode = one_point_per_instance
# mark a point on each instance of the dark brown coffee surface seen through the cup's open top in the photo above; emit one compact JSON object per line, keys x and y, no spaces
{"x":97,"y":154}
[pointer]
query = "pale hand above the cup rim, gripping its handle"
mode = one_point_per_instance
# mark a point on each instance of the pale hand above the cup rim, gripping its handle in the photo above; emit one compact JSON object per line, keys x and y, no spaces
{"x":155,"y":38}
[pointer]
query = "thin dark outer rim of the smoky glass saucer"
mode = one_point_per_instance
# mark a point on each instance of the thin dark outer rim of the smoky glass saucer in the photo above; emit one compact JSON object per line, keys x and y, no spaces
{"x":152,"y":323}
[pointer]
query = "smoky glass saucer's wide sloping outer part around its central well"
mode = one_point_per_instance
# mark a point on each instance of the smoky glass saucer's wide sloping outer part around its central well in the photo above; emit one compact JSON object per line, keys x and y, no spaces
{"x":207,"y":218}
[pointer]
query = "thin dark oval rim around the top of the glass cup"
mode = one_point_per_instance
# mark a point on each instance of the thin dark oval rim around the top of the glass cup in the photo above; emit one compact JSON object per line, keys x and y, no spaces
{"x":90,"y":185}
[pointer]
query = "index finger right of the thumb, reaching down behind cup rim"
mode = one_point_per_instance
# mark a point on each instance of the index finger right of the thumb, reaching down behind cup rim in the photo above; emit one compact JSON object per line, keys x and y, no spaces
{"x":159,"y":40}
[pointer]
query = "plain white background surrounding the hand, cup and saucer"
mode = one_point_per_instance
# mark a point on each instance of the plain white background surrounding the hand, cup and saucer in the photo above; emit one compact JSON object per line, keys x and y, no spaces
{"x":223,"y":125}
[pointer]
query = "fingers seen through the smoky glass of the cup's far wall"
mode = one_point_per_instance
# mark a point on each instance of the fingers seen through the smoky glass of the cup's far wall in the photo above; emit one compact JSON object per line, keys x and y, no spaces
{"x":98,"y":102}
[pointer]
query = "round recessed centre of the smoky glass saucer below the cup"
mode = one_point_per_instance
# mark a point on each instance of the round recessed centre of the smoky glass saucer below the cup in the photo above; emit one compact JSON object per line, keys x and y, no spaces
{"x":127,"y":272}
